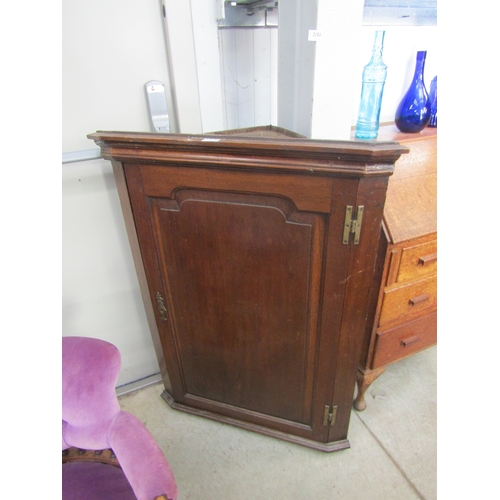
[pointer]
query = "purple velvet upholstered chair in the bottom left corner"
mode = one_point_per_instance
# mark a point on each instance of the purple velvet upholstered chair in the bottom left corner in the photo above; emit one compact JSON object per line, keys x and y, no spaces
{"x":97,"y":431}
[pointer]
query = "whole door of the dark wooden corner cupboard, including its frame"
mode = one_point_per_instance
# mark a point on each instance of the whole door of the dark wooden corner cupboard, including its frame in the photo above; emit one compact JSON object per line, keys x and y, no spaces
{"x":237,"y":277}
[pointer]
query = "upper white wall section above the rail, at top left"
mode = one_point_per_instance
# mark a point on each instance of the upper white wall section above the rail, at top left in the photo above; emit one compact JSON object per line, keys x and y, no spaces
{"x":110,"y":49}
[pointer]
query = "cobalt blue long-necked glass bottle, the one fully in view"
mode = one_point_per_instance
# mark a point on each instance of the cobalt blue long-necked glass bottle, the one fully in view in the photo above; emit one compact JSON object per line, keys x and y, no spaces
{"x":414,"y":111}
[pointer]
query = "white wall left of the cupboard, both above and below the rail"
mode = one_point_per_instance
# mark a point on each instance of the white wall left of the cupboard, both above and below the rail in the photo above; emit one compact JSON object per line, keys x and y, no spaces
{"x":110,"y":49}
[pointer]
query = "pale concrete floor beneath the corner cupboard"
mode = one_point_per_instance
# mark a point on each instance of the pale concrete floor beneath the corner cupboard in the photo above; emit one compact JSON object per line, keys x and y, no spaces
{"x":392,"y":454}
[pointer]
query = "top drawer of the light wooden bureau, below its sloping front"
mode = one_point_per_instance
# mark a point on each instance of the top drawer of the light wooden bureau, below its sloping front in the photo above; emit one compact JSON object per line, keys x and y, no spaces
{"x":417,"y":262}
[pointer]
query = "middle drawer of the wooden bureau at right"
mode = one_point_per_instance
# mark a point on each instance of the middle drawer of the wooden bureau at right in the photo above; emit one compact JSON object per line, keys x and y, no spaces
{"x":405,"y":302}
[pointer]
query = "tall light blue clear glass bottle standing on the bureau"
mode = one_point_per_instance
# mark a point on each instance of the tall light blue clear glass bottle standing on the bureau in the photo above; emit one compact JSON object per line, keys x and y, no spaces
{"x":374,"y":75}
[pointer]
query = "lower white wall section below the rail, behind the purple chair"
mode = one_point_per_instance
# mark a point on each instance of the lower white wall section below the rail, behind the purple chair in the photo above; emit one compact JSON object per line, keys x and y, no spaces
{"x":100,"y":291}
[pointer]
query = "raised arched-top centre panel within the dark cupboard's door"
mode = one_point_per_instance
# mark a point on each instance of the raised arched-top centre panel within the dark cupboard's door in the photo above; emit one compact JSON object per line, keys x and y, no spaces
{"x":243,"y":297}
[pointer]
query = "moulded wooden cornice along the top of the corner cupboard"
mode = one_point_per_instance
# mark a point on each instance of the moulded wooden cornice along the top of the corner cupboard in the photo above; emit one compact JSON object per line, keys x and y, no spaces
{"x":360,"y":158}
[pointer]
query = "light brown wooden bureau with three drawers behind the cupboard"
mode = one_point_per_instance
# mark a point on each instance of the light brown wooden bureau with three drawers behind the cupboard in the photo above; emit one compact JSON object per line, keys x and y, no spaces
{"x":404,"y":296}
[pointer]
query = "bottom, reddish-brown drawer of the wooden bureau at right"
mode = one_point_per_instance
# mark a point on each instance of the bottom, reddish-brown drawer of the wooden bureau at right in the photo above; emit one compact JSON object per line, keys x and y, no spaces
{"x":402,"y":341}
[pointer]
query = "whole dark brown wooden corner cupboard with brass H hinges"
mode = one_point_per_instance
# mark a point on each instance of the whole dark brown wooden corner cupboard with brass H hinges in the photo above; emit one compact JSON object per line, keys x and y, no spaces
{"x":255,"y":252}
